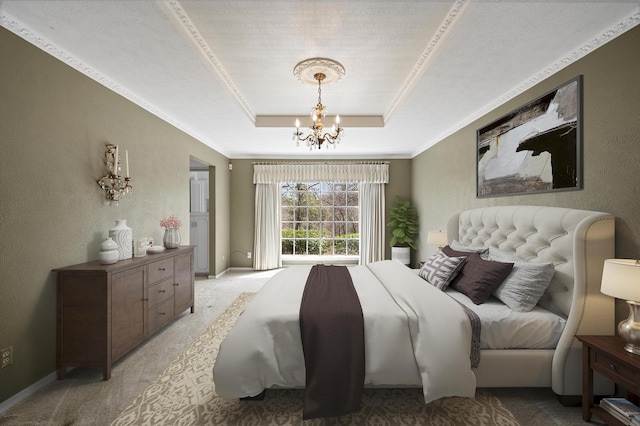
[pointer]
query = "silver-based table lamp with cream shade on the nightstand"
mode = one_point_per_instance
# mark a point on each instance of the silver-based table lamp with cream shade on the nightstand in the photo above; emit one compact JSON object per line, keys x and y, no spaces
{"x":621,"y":279}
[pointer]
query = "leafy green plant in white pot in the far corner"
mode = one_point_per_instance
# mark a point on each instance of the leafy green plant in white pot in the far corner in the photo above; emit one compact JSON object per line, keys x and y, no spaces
{"x":404,"y":228}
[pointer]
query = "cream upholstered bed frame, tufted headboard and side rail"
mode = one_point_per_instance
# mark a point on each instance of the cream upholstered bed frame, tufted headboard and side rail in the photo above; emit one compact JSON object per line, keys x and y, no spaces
{"x":577,"y":242}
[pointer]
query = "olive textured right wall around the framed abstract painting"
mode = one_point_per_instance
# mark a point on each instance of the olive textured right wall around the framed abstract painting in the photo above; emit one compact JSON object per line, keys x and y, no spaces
{"x":444,"y":176}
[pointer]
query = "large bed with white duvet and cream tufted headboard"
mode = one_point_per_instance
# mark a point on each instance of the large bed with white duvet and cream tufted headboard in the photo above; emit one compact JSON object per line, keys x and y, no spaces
{"x":264,"y":348}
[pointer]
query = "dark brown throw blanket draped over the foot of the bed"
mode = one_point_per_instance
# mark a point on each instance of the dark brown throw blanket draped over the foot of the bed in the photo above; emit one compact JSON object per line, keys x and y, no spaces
{"x":332,"y":328}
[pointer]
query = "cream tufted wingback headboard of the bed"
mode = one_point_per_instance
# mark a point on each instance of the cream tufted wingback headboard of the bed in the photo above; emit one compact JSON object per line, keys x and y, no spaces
{"x":577,"y":242}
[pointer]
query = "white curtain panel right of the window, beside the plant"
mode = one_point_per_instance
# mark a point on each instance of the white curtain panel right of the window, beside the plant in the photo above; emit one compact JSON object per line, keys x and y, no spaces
{"x":372,"y":222}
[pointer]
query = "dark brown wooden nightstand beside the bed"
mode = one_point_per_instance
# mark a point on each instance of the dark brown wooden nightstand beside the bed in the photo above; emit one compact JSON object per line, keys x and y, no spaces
{"x":606,"y":355}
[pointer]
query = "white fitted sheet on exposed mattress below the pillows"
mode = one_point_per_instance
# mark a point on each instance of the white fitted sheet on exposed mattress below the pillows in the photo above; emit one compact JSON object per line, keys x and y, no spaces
{"x":503,"y":328}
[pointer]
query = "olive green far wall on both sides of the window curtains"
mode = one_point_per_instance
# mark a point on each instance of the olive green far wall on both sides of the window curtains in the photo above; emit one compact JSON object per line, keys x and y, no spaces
{"x":243,"y":195}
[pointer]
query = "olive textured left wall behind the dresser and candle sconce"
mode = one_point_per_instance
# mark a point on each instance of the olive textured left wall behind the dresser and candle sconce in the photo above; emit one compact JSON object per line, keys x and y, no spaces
{"x":54,"y":123}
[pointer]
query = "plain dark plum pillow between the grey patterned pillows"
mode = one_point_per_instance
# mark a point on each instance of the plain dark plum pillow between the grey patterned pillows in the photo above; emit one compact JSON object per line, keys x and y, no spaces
{"x":478,"y":278}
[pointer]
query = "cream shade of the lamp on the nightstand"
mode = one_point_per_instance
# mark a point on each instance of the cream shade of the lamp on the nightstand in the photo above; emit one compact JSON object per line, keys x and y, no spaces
{"x":621,"y":279}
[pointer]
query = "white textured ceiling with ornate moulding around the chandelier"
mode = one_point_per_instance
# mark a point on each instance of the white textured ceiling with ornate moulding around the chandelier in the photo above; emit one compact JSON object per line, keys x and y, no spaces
{"x":216,"y":68}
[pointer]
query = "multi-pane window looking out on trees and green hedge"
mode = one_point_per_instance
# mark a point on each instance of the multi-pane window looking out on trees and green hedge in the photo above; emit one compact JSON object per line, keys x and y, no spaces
{"x":320,"y":219}
